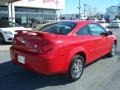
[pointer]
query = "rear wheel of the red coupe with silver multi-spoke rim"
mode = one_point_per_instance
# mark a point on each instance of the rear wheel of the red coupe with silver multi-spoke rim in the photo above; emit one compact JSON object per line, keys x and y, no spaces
{"x":76,"y":68}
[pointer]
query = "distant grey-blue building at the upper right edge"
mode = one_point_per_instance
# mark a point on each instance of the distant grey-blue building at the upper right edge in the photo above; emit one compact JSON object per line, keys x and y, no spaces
{"x":112,"y":12}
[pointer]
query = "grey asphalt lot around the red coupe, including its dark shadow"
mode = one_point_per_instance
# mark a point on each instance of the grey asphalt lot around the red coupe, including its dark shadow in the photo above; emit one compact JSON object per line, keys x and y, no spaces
{"x":103,"y":74}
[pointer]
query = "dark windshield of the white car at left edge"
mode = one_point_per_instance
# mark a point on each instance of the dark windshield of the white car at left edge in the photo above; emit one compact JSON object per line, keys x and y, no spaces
{"x":4,"y":24}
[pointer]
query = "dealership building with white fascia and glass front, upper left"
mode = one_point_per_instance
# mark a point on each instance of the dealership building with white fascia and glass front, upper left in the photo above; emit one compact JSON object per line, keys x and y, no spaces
{"x":28,"y":12}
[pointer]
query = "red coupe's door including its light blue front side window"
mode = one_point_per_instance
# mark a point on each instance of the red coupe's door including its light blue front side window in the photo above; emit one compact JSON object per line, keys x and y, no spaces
{"x":101,"y":41}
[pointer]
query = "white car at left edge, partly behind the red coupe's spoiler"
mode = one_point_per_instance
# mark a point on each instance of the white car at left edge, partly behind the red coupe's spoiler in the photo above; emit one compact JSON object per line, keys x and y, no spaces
{"x":7,"y":31}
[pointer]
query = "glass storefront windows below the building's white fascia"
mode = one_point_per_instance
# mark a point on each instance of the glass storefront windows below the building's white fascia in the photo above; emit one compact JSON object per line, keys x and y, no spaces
{"x":25,"y":15}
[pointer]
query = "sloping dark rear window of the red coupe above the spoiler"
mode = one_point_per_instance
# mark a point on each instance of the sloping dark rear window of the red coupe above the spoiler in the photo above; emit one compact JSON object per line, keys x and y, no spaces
{"x":61,"y":28}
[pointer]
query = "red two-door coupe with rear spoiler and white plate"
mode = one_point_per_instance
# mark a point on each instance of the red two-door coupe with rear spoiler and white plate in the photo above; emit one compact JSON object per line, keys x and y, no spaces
{"x":62,"y":47}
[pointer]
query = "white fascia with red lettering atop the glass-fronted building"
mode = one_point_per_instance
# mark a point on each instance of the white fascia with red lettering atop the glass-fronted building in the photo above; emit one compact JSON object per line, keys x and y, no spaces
{"x":51,"y":4}
